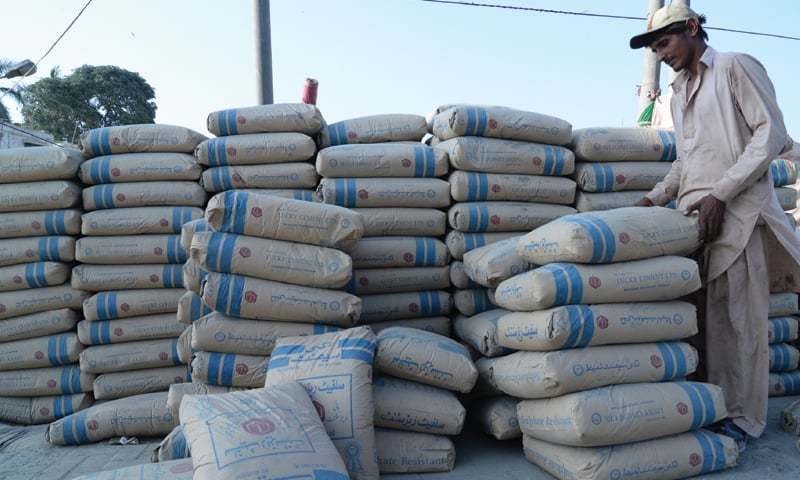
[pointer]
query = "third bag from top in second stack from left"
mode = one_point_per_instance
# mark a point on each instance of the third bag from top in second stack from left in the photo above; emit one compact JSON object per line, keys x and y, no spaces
{"x":144,"y":194}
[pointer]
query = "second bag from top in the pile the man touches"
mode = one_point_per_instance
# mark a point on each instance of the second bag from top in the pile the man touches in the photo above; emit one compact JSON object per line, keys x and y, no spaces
{"x":649,"y":280}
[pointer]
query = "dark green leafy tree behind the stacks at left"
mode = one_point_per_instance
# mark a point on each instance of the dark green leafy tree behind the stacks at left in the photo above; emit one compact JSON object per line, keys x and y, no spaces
{"x":91,"y":97}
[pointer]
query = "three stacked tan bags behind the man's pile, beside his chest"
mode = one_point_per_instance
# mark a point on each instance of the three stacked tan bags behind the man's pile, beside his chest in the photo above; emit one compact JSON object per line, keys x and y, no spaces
{"x":618,"y":166}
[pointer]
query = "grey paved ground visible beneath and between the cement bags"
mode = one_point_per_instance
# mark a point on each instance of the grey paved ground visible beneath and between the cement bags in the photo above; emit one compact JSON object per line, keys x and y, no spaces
{"x":24,"y":455}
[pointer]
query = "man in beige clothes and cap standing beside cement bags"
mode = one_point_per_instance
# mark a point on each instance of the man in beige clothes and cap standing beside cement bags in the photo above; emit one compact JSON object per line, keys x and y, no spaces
{"x":728,"y":129}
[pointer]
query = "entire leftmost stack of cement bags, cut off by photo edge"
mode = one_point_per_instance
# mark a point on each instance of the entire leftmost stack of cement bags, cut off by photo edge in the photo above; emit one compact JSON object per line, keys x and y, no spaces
{"x":39,"y":217}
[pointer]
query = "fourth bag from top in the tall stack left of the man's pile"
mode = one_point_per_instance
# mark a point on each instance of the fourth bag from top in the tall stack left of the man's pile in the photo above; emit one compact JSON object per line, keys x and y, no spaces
{"x":503,"y":216}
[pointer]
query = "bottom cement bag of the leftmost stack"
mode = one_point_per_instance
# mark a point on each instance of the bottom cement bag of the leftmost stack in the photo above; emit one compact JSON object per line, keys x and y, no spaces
{"x":39,"y":410}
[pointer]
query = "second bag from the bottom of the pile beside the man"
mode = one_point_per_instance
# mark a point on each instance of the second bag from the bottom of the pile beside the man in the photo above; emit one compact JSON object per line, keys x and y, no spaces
{"x":622,"y":413}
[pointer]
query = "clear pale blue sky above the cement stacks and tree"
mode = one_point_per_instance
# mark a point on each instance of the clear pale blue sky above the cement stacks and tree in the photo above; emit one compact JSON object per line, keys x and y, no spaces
{"x":389,"y":56}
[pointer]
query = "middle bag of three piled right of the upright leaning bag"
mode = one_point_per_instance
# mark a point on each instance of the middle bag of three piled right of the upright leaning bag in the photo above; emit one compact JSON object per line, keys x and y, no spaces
{"x":415,"y":407}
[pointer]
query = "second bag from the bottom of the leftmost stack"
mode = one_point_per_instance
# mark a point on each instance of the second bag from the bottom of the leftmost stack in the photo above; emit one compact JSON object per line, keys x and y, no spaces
{"x":41,"y":382}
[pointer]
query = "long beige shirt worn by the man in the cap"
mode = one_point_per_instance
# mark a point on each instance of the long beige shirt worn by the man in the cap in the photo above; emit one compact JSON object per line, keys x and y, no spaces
{"x":728,"y":129}
